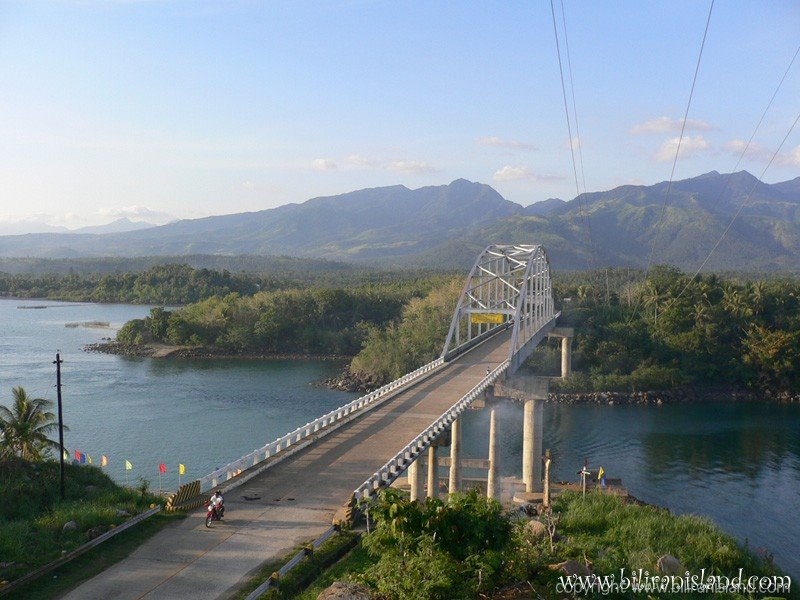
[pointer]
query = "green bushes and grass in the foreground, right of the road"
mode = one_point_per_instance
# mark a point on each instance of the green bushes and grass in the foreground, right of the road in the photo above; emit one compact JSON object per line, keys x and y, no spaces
{"x":471,"y":548}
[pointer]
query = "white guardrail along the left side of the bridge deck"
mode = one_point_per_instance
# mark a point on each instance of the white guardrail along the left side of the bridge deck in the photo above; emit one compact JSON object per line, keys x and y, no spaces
{"x":294,"y":437}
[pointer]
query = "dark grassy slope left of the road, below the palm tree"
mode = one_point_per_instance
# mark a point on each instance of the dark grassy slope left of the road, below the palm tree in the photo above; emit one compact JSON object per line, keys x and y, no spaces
{"x":33,"y":516}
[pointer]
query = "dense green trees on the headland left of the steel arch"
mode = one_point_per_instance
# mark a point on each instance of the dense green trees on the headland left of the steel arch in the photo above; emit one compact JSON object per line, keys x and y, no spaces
{"x":309,"y":321}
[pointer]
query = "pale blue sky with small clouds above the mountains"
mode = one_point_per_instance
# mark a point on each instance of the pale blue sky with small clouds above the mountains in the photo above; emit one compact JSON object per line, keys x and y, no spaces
{"x":167,"y":109}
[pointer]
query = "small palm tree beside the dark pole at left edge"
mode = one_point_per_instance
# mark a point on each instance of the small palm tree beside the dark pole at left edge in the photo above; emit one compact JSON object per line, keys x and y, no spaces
{"x":25,"y":426}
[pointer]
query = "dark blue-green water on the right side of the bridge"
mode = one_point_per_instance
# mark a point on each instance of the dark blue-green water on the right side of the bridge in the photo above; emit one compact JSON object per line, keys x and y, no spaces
{"x":735,"y":462}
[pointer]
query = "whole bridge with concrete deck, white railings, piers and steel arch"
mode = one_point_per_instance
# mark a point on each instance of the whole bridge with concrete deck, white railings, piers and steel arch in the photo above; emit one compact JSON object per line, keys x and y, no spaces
{"x":290,"y":490}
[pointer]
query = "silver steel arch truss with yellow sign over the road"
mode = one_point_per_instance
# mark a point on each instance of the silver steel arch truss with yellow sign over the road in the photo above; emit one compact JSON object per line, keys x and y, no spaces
{"x":508,"y":286}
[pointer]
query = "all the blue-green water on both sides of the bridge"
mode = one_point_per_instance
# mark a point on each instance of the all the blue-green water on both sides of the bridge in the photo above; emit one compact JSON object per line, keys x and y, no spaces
{"x":738,"y":463}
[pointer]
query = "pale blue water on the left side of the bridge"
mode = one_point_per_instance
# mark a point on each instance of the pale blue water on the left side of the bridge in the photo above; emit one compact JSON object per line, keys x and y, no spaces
{"x":200,"y":413}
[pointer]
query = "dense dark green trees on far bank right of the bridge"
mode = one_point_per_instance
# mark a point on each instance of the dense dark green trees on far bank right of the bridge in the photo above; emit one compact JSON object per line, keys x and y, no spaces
{"x":671,"y":330}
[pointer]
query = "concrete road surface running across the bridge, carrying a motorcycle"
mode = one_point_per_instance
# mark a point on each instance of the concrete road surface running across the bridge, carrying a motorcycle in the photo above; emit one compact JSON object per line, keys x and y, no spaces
{"x":290,"y":503}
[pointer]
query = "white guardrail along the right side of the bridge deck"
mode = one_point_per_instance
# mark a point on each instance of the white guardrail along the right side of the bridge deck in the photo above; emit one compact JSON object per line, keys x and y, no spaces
{"x":392,"y":469}
